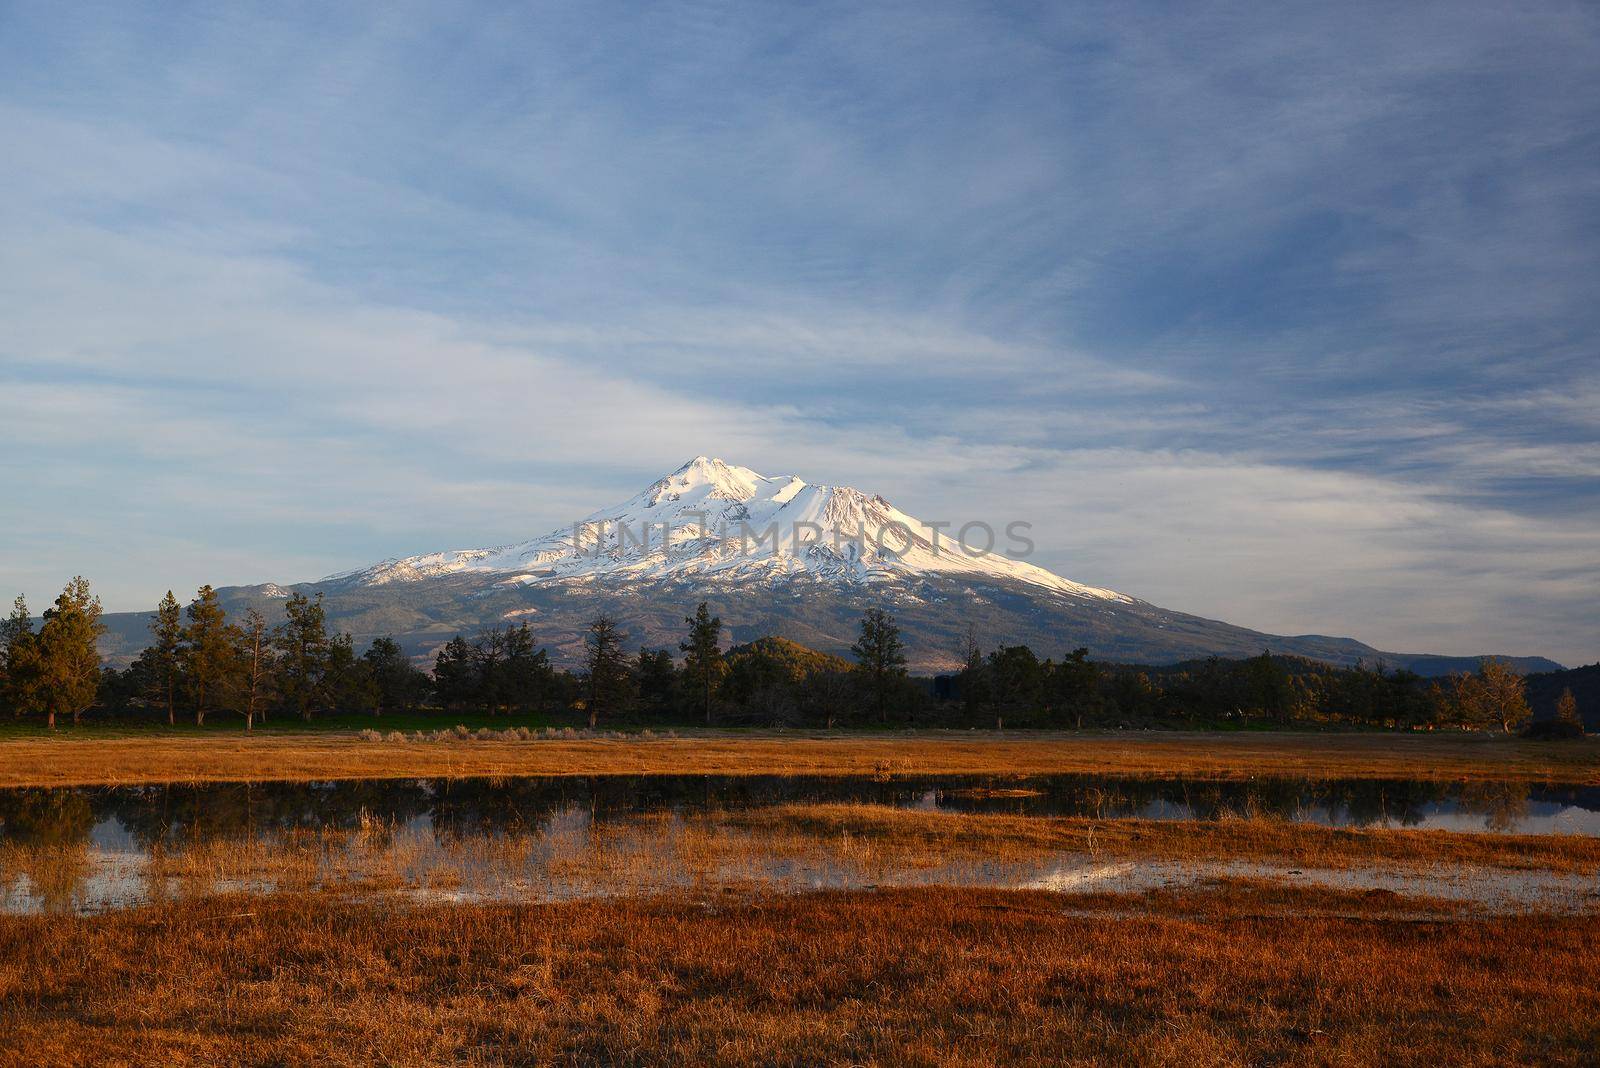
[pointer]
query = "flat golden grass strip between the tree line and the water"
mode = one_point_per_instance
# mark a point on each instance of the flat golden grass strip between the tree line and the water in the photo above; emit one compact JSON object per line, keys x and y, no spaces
{"x":214,"y":759}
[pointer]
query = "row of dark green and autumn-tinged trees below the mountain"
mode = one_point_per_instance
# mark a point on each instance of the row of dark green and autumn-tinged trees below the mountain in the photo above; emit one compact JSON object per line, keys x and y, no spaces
{"x":199,"y":664}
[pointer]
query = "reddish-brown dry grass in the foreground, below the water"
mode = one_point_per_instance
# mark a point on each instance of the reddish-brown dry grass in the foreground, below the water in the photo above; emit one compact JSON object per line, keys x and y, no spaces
{"x":924,"y":978}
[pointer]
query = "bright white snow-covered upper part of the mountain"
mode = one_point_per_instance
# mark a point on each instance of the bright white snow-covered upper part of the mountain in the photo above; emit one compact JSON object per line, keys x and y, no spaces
{"x":718,"y":522}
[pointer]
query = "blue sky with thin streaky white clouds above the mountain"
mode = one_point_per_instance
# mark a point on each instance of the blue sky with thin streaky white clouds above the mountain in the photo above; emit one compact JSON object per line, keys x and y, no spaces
{"x":1289,"y":321}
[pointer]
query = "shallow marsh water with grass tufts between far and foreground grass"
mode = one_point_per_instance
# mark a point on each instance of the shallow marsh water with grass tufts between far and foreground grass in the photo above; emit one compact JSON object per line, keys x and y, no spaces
{"x":558,"y":839}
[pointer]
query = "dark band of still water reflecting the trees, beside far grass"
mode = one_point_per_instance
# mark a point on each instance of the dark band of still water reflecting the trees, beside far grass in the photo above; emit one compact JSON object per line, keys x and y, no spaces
{"x":167,"y":816}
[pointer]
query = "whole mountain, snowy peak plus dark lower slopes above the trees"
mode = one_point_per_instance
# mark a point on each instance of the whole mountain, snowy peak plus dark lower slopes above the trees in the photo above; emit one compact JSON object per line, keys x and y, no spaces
{"x":772,"y":556}
